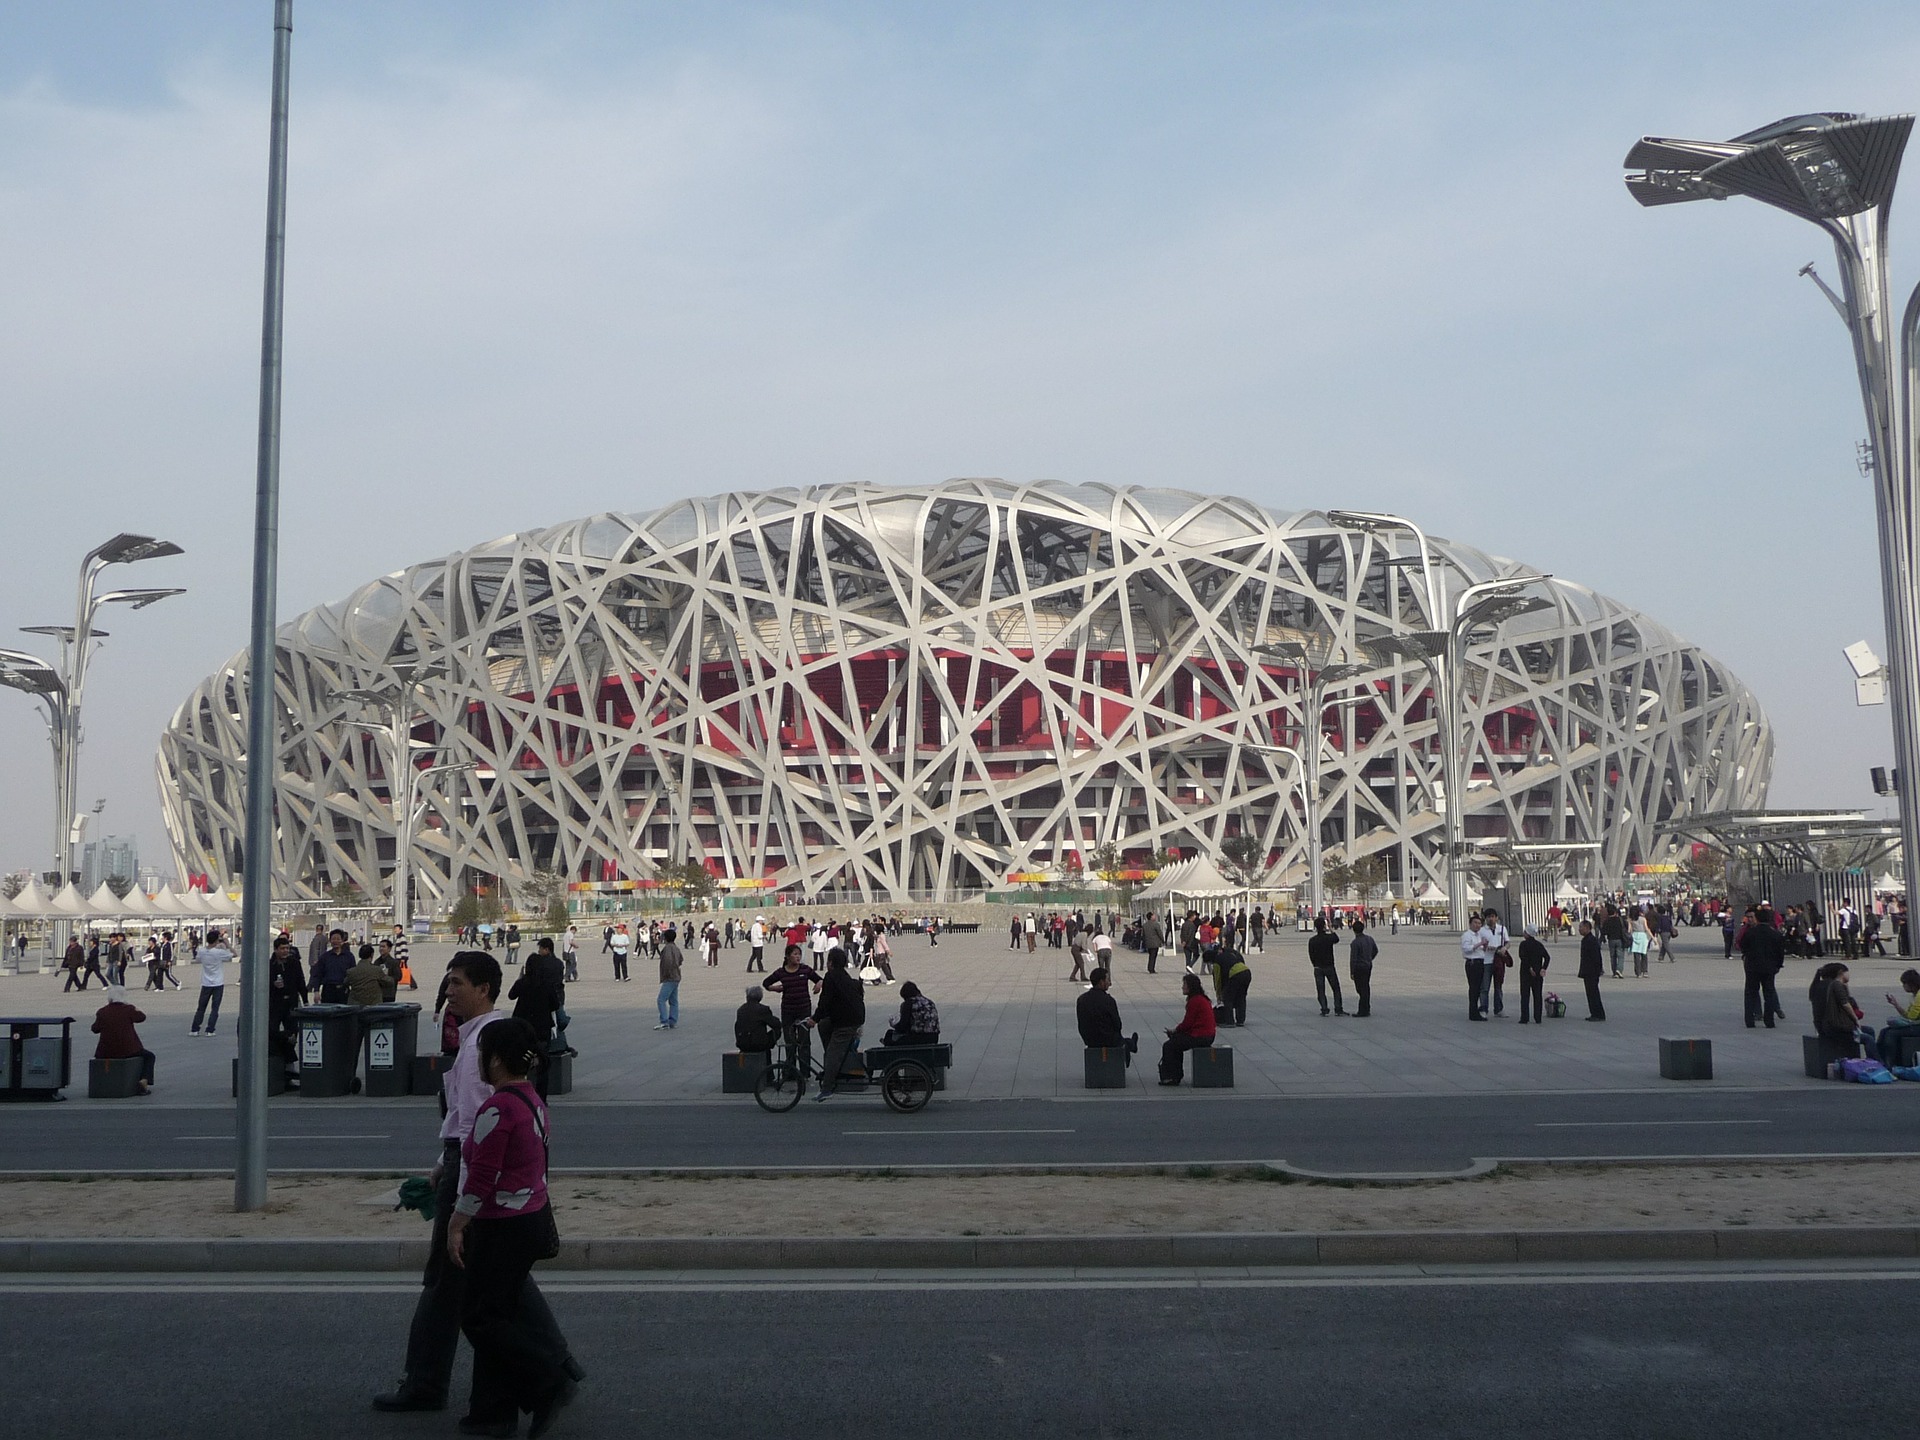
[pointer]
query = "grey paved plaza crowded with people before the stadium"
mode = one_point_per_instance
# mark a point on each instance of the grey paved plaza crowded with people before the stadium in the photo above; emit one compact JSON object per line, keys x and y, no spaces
{"x":1009,"y":1019}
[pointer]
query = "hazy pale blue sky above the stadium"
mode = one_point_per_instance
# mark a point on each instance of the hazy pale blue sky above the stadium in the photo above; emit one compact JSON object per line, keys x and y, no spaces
{"x":562,"y":258}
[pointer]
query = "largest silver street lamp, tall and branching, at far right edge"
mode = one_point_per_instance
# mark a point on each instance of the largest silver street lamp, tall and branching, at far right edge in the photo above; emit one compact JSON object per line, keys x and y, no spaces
{"x":1838,"y":172}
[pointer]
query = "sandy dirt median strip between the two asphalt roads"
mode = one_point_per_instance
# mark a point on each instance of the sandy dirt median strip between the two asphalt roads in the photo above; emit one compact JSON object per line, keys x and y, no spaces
{"x":1560,"y":1197}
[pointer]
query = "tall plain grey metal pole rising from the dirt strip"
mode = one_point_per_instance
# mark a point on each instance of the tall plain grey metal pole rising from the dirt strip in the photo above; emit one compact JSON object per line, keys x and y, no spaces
{"x":262,"y":729}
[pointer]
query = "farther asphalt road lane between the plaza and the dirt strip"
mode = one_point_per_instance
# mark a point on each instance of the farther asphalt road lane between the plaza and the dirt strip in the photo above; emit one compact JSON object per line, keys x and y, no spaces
{"x":1362,"y":1134}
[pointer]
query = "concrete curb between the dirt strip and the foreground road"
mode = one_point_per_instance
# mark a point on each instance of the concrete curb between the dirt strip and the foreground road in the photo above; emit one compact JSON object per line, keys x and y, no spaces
{"x":959,"y":1253}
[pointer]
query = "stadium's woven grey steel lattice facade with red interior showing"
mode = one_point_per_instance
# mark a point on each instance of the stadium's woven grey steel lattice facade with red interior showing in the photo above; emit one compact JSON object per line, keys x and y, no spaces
{"x":917,"y":692}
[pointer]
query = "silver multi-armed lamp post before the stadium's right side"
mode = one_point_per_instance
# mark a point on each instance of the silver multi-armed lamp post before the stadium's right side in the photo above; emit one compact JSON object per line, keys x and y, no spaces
{"x":1443,"y":652}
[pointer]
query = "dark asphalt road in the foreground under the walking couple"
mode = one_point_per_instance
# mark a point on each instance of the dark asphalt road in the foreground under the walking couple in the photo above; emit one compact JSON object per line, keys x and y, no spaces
{"x":1472,"y":1355}
